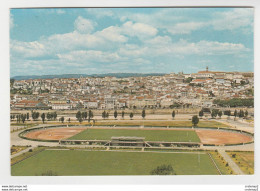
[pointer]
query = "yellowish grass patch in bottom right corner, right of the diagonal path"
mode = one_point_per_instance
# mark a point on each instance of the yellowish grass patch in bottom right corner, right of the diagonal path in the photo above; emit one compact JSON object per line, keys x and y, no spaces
{"x":245,"y":160}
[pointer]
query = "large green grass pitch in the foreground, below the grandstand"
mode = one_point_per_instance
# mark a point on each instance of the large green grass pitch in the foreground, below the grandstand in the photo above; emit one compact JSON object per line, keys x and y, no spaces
{"x":75,"y":162}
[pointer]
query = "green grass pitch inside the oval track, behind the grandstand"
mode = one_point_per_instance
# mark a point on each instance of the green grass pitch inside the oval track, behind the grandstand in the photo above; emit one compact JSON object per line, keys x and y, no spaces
{"x":150,"y":135}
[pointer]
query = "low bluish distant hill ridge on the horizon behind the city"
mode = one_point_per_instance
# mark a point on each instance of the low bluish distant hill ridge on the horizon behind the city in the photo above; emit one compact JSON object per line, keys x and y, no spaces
{"x":118,"y":75}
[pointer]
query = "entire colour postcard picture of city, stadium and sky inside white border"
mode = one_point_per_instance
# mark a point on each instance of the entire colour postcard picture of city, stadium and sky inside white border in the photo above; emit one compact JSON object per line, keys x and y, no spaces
{"x":132,"y":91}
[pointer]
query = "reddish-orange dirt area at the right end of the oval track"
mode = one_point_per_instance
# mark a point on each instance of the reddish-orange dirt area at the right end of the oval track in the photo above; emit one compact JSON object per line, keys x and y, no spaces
{"x":221,"y":137}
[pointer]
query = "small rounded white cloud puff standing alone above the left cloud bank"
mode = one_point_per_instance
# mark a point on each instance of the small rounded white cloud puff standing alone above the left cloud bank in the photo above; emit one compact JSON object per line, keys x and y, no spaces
{"x":83,"y":25}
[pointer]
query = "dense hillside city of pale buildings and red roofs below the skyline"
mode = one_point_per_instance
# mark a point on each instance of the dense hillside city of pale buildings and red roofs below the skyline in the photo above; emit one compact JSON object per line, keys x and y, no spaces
{"x":201,"y":89}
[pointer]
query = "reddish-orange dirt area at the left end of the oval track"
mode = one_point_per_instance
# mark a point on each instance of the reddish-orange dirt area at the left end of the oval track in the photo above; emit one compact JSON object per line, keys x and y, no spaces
{"x":54,"y":134}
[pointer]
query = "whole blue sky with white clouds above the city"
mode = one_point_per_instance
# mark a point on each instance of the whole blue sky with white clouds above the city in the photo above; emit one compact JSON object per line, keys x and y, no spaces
{"x":130,"y":40}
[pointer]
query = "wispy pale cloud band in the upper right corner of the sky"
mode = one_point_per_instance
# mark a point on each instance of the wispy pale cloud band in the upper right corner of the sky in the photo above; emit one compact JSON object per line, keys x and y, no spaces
{"x":184,"y":21}
